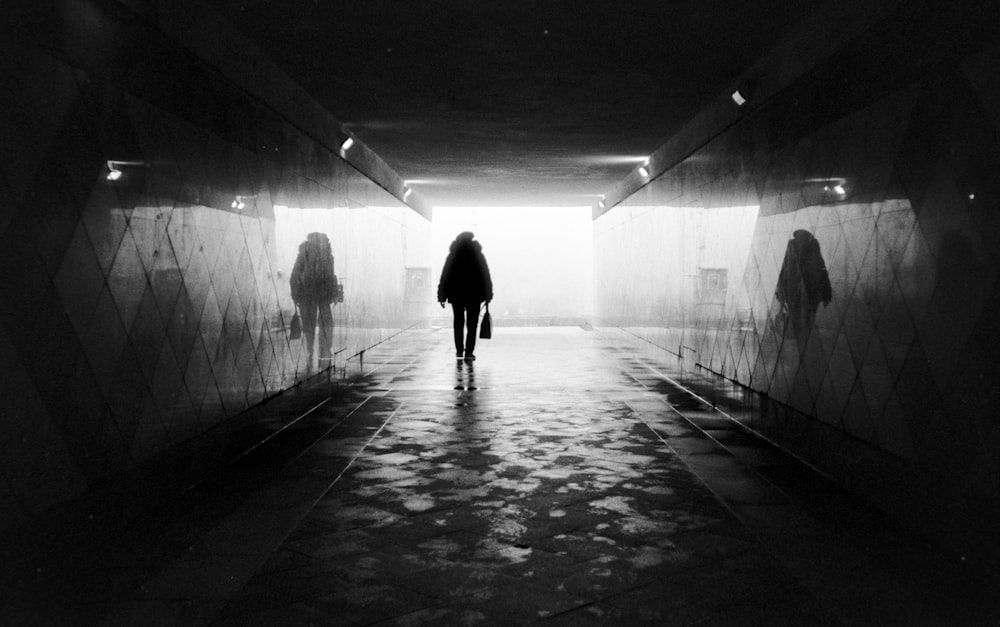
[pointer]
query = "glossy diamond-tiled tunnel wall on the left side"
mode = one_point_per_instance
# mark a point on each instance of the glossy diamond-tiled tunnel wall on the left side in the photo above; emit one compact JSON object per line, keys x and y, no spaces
{"x":139,"y":312}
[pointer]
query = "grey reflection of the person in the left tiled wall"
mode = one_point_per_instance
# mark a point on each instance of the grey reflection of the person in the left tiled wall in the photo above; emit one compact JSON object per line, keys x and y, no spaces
{"x":314,"y":288}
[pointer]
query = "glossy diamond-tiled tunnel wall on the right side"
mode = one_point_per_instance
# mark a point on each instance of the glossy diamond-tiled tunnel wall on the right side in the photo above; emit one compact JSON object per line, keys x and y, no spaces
{"x":891,"y":162}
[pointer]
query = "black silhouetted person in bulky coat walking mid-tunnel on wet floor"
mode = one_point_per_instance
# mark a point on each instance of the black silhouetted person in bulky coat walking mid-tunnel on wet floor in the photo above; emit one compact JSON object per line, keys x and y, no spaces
{"x":465,"y":283}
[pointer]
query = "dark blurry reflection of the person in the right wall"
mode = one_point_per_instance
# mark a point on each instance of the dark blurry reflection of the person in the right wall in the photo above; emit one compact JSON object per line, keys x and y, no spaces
{"x":803,"y":282}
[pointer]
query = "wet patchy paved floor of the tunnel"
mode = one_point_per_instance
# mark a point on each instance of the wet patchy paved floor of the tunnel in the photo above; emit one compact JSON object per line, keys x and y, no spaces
{"x":564,"y":478}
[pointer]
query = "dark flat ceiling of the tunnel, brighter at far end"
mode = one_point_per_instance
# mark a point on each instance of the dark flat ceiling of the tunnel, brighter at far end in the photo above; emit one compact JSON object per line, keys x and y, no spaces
{"x":514,"y":102}
